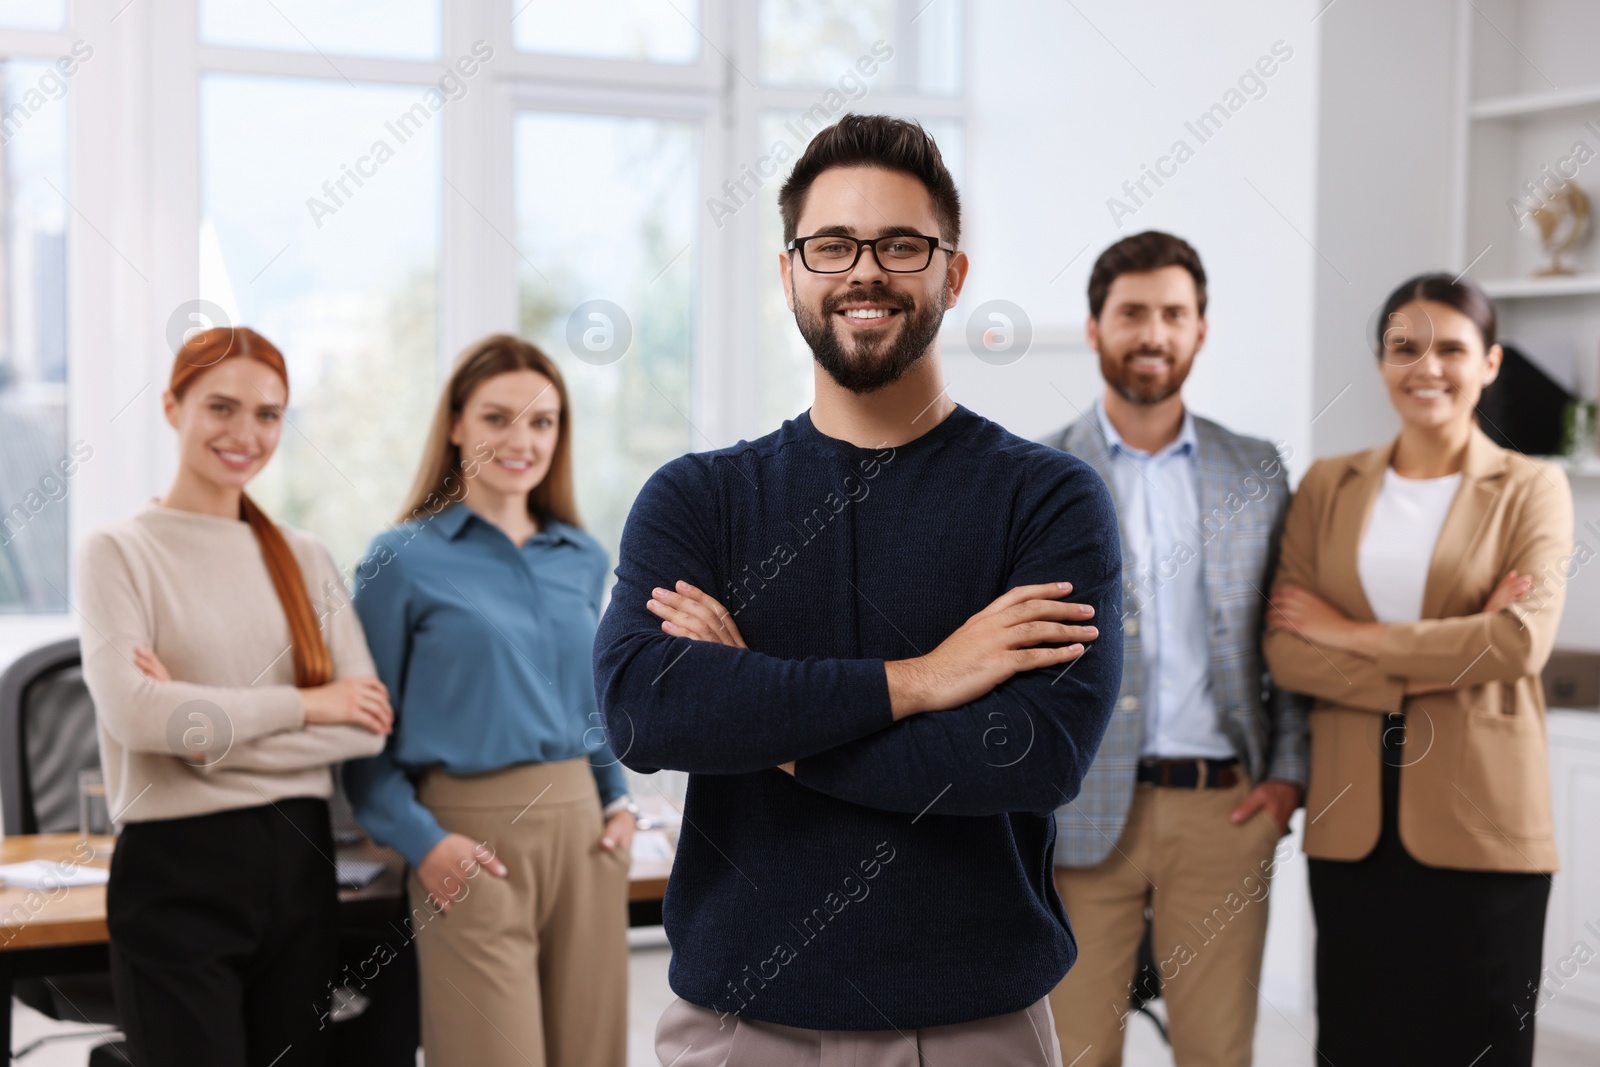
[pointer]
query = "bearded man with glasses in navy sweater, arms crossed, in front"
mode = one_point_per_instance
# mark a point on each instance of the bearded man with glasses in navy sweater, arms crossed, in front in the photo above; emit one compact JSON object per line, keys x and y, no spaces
{"x":870,"y":639}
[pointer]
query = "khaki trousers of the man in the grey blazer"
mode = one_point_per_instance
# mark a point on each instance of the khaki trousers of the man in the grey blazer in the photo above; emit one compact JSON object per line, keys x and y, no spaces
{"x":1206,"y":882}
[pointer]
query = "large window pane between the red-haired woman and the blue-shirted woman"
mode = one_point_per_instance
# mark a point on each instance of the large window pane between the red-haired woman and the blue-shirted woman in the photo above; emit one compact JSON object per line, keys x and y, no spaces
{"x":321,"y":230}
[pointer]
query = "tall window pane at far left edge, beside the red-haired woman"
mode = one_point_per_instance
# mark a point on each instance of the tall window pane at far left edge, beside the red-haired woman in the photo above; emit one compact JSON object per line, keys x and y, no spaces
{"x":36,"y":457}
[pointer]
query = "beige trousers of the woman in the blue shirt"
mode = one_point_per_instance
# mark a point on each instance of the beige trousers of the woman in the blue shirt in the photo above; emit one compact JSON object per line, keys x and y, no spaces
{"x":532,"y":969}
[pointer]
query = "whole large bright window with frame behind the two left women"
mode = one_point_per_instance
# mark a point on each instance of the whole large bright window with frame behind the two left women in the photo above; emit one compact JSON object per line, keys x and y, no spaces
{"x":327,"y":172}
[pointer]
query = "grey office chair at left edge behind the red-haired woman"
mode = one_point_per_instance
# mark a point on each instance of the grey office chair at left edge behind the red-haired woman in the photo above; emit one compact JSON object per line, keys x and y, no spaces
{"x":47,"y":738}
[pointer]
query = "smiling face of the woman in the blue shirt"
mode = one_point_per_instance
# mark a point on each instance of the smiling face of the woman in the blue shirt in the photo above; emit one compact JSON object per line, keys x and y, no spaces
{"x":508,"y":431}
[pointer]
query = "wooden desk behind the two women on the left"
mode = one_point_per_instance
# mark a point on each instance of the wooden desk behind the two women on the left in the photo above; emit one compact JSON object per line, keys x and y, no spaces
{"x":63,"y":932}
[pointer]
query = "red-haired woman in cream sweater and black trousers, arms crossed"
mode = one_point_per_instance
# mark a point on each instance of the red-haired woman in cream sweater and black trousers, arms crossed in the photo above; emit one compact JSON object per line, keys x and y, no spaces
{"x":230,"y":676}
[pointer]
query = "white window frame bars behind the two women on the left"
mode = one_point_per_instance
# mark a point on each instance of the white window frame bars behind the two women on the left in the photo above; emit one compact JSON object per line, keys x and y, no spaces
{"x":135,"y":172}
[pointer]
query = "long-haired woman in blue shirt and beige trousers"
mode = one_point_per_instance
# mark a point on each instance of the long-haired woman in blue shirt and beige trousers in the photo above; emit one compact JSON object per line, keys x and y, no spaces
{"x":481,"y":609}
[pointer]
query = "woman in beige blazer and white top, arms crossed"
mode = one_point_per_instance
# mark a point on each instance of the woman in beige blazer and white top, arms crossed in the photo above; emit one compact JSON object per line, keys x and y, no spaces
{"x":1417,"y":601}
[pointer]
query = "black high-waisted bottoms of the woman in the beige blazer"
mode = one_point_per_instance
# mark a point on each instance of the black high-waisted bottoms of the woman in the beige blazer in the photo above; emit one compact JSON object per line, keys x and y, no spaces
{"x":1422,"y":965}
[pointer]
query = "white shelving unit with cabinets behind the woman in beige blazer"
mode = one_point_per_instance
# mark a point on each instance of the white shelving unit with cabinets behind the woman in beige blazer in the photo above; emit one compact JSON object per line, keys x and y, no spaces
{"x":1529,"y":95}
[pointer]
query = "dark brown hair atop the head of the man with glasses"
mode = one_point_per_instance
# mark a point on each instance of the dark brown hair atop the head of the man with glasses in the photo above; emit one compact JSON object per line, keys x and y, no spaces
{"x":894,"y":145}
